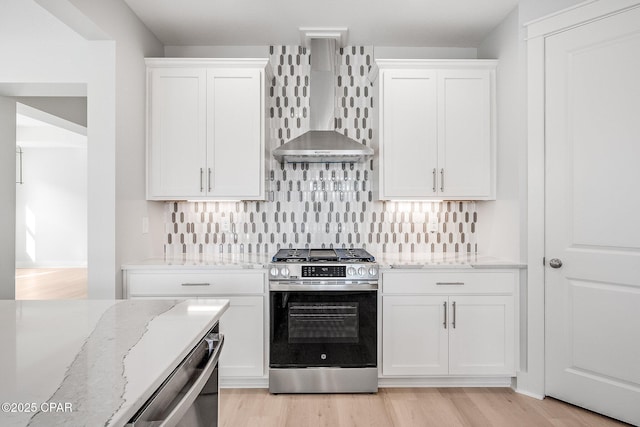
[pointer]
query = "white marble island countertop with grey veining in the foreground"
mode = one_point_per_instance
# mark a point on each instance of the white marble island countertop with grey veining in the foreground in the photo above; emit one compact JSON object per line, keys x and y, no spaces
{"x":92,"y":362}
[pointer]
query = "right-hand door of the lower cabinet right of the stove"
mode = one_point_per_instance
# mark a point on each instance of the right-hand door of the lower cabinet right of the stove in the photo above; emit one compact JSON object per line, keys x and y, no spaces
{"x":482,"y":342}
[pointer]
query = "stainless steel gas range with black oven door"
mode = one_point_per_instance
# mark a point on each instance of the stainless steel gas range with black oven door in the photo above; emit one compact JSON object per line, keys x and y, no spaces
{"x":323,"y":328}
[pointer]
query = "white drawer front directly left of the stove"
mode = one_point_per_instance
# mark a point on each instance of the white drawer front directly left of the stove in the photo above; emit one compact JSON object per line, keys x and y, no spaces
{"x":186,"y":283}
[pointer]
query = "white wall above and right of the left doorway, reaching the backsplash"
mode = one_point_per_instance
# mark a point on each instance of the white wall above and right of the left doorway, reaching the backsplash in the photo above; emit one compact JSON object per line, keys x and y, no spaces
{"x":98,"y":46}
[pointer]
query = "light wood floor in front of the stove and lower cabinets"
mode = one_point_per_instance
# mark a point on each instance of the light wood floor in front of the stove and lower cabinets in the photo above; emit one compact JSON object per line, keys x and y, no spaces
{"x":402,"y":407}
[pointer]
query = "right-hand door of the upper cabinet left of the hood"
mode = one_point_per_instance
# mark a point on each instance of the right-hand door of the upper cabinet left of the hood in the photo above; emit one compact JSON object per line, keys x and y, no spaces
{"x":235,"y":139}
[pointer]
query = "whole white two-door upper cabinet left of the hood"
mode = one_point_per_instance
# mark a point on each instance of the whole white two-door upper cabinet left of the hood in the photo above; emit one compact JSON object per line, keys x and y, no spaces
{"x":206,"y":129}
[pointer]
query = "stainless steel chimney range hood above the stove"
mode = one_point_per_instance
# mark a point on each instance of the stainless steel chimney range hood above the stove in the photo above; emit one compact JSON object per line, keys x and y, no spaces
{"x":322,"y":144}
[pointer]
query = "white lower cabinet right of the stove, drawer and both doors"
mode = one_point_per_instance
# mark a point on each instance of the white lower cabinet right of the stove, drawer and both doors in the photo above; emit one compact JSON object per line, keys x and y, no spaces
{"x":436,"y":329}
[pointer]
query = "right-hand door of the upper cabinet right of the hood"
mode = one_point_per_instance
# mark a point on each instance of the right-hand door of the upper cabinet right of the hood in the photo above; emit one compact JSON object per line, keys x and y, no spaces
{"x":464,"y":134}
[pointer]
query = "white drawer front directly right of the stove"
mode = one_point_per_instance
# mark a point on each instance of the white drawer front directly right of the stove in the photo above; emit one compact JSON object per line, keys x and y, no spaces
{"x":421,"y":282}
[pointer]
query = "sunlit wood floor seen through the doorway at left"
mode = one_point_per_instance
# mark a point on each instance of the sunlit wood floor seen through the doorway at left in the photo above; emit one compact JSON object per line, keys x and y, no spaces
{"x":51,"y":283}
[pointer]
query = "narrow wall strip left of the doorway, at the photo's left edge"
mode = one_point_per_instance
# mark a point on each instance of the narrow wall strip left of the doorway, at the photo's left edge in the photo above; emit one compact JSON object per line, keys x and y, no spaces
{"x":7,"y":197}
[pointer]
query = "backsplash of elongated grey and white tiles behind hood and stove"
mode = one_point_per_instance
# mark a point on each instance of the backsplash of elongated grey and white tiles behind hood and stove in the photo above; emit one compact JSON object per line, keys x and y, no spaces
{"x":319,"y":205}
